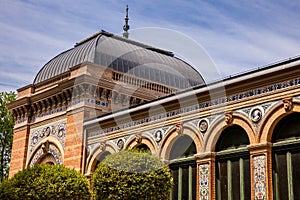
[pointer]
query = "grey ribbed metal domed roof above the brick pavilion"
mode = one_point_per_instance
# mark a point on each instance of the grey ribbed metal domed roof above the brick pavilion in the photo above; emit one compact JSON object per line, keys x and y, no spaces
{"x":125,"y":56}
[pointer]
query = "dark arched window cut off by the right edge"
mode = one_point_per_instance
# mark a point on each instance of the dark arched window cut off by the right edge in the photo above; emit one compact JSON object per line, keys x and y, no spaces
{"x":286,"y":158}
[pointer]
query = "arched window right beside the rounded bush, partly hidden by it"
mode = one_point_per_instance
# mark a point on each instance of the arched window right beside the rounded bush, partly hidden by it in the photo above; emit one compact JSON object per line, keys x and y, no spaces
{"x":183,"y":167}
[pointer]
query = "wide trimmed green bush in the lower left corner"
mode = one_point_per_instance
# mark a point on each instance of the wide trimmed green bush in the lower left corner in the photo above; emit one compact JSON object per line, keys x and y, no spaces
{"x":46,"y":182}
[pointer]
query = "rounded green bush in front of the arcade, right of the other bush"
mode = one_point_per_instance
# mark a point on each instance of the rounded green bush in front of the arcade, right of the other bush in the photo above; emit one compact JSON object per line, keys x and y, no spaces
{"x":132,"y":175}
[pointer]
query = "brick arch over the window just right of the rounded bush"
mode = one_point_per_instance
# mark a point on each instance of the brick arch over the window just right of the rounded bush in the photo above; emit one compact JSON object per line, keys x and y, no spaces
{"x":173,"y":134}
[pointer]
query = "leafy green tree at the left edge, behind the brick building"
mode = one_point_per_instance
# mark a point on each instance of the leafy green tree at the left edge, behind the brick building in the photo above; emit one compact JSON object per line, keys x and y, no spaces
{"x":6,"y":133}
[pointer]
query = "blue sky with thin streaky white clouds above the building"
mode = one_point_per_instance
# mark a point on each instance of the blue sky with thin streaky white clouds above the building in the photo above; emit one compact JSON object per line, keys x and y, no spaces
{"x":237,"y":35}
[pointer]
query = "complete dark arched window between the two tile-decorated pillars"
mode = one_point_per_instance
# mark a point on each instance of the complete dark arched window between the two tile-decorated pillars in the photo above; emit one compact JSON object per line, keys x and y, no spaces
{"x":233,"y":165}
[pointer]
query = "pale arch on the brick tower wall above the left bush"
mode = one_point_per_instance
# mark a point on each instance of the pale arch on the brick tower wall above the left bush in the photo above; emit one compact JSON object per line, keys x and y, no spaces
{"x":38,"y":149}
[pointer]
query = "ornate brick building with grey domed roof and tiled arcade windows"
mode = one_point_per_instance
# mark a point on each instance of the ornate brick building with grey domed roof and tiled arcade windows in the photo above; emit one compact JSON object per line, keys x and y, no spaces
{"x":232,"y":139}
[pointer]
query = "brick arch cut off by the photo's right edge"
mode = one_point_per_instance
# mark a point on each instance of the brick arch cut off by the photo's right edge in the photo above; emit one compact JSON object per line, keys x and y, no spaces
{"x":272,"y":118}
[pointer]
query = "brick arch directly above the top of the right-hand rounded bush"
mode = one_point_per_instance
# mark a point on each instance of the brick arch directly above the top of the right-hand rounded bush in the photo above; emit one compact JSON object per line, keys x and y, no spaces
{"x":144,"y":140}
